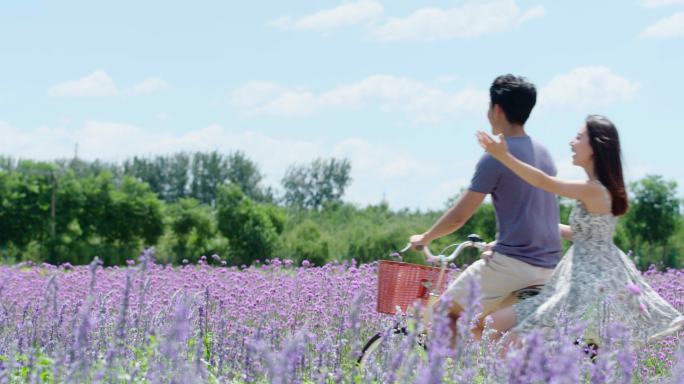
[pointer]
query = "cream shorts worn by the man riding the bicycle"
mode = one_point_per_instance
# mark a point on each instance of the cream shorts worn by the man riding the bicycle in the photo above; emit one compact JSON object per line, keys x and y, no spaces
{"x":498,"y":278}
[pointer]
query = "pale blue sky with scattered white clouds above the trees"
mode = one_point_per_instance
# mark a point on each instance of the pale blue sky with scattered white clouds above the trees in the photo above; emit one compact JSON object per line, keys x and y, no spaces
{"x":397,"y":87}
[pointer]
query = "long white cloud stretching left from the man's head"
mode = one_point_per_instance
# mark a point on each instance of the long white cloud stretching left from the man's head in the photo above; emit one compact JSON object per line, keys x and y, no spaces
{"x":424,"y":102}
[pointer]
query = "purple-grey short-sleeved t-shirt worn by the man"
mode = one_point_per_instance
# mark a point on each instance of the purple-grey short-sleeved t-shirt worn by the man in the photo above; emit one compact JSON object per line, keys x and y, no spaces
{"x":527,"y":217}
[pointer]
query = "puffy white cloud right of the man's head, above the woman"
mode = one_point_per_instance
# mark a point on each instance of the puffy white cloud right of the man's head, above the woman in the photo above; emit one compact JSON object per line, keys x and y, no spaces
{"x":584,"y":87}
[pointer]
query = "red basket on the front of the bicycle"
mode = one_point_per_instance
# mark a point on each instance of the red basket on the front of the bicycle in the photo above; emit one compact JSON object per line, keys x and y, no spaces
{"x":401,"y":284}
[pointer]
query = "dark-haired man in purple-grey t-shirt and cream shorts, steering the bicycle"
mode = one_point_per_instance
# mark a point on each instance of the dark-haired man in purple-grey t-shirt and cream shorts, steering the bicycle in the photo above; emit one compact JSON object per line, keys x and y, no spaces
{"x":527,"y":245}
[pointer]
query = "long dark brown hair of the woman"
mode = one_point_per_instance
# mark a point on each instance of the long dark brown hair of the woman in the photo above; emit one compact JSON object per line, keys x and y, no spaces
{"x":605,"y":142}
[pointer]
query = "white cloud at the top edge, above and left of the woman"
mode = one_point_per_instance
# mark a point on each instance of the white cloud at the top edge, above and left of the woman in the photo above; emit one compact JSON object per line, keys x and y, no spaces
{"x":473,"y":19}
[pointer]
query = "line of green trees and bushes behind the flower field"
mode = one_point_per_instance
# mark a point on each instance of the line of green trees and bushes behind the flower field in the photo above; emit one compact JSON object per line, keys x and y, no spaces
{"x":192,"y":204}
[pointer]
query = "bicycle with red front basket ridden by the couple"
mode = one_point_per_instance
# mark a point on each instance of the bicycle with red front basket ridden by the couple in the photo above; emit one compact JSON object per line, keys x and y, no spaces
{"x":401,"y":284}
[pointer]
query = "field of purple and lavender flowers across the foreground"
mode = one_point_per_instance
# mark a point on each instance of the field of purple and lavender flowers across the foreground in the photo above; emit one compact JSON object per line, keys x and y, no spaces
{"x":272,"y":323}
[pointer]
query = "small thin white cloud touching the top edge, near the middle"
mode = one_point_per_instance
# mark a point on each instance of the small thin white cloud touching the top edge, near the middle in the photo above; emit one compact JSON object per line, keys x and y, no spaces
{"x":362,"y":11}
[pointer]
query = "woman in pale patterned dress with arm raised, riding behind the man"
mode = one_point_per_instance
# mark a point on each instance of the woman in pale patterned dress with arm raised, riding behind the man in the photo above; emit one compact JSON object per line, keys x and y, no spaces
{"x":594,"y":281}
